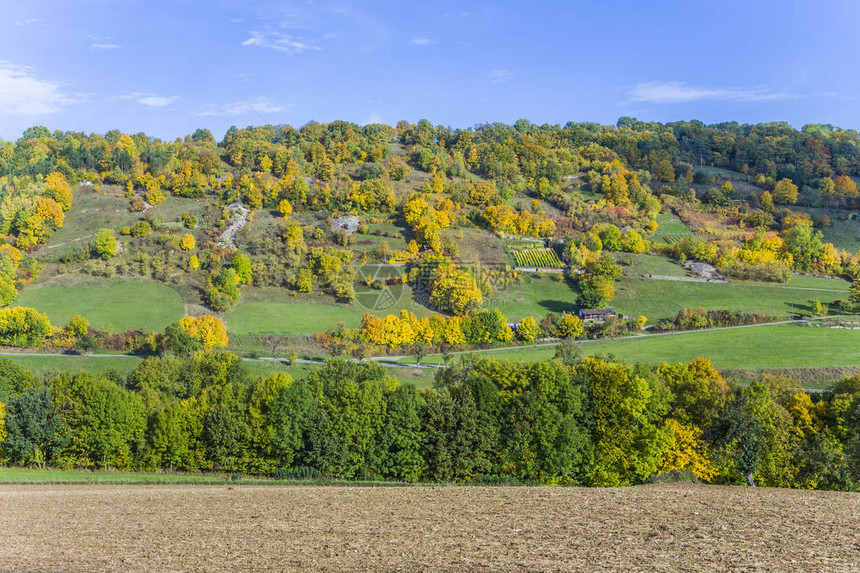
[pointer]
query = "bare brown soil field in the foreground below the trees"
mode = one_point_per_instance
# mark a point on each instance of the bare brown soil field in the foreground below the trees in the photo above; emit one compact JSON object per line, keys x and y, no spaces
{"x":672,"y":527}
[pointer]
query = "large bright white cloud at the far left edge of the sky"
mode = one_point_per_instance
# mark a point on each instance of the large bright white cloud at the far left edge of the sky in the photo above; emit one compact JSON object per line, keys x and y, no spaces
{"x":22,"y":93}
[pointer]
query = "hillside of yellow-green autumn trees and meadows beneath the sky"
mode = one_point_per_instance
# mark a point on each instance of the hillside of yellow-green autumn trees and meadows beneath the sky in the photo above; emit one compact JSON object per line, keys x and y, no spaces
{"x":291,"y":236}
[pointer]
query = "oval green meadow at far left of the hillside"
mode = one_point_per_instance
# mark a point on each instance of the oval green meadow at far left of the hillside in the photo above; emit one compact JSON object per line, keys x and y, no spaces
{"x":117,"y":303}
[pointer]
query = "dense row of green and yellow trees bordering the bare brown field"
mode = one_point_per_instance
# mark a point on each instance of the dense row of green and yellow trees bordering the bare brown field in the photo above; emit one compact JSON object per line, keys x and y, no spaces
{"x":569,"y":421}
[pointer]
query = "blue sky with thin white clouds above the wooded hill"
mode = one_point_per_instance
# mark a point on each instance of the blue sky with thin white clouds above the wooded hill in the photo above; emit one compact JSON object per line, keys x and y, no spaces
{"x":167,"y":68}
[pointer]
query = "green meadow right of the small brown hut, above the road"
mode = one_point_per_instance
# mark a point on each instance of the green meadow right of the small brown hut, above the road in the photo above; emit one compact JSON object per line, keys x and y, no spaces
{"x":658,"y":299}
